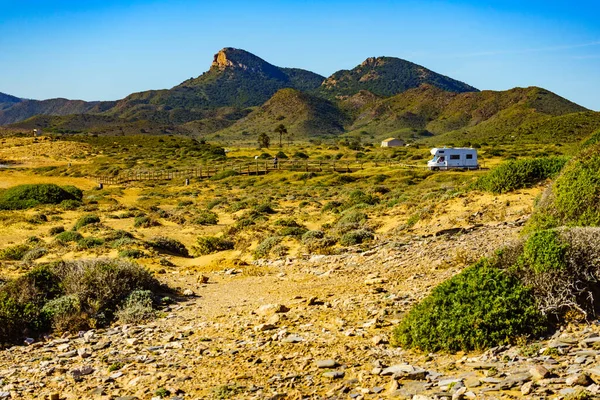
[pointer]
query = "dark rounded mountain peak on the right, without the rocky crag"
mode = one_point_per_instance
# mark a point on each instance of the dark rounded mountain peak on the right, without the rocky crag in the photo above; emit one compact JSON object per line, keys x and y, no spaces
{"x":387,"y":76}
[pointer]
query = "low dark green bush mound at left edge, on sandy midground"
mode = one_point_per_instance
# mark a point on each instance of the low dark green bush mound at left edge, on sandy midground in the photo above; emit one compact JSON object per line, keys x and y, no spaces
{"x":28,"y":196}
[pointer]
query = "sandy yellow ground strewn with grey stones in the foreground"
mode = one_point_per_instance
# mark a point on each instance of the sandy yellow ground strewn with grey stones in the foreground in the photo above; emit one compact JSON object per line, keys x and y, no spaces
{"x":316,"y":327}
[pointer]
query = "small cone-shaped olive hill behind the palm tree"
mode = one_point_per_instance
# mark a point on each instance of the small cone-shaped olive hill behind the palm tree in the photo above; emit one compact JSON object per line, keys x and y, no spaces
{"x":303,"y":114}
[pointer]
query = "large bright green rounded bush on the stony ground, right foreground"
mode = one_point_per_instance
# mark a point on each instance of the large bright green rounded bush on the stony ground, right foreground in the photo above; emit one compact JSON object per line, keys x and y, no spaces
{"x":481,"y":307}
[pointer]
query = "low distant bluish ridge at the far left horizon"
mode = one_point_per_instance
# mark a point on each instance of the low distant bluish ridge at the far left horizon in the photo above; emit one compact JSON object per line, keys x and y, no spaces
{"x":24,"y":109}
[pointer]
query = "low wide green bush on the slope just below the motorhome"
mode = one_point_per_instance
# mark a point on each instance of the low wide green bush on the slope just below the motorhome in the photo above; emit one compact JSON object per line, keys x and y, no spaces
{"x":519,"y":174}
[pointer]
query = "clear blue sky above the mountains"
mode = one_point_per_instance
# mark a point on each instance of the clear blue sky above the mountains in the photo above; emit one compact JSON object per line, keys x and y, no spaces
{"x":106,"y":49}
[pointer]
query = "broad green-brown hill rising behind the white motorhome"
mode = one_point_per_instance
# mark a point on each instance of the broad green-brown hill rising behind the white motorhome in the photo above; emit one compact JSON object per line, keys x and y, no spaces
{"x":429,"y":111}
